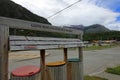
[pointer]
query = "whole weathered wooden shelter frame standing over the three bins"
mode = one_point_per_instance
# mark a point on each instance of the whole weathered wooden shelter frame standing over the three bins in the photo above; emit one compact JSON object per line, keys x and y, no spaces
{"x":12,"y":43}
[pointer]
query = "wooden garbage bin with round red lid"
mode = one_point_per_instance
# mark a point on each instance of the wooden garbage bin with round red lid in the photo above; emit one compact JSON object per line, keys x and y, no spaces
{"x":29,"y":72}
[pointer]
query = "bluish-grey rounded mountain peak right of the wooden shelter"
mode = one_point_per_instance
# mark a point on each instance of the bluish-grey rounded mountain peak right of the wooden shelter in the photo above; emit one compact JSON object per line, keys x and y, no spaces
{"x":95,"y":28}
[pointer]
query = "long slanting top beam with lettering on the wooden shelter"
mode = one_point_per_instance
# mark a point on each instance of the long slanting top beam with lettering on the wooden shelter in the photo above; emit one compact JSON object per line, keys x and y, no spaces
{"x":15,"y":23}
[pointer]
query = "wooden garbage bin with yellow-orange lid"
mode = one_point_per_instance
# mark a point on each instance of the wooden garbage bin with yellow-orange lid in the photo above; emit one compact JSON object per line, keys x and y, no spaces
{"x":57,"y":70}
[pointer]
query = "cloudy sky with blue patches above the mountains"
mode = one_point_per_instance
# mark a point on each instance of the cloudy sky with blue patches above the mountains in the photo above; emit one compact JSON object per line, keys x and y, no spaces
{"x":86,"y":12}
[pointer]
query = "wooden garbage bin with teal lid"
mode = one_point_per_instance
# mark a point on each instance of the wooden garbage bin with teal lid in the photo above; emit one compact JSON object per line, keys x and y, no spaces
{"x":73,"y":70}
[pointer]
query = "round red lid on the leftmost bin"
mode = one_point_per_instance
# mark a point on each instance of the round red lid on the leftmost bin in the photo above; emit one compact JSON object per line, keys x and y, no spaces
{"x":25,"y":71}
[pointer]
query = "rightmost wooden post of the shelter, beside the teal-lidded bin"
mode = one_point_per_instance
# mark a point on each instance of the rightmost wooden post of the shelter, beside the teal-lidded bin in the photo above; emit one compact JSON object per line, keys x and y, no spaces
{"x":80,"y":52}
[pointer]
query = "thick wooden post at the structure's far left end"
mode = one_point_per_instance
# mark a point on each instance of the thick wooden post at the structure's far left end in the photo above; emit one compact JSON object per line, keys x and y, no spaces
{"x":4,"y":33}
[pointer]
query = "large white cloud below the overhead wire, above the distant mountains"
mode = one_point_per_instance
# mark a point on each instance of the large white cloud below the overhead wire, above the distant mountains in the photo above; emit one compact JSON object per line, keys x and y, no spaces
{"x":86,"y":14}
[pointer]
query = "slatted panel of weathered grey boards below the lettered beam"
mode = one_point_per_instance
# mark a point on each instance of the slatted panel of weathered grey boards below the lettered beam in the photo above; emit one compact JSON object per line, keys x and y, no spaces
{"x":35,"y":43}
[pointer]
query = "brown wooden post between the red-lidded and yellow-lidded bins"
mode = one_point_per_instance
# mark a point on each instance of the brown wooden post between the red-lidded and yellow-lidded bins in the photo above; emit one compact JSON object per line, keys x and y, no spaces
{"x":43,"y":67}
